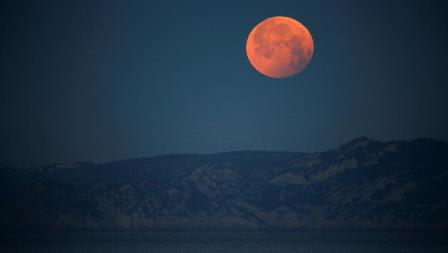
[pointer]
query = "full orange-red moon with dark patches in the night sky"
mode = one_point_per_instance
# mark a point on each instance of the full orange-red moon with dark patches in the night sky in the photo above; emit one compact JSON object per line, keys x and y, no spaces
{"x":279,"y":47}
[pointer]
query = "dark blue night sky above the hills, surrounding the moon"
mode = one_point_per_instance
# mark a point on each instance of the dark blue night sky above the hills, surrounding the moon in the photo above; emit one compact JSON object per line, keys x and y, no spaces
{"x":109,"y":80}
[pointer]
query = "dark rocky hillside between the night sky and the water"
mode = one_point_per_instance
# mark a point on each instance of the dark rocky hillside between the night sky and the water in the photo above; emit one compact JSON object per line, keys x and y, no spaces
{"x":362,"y":184}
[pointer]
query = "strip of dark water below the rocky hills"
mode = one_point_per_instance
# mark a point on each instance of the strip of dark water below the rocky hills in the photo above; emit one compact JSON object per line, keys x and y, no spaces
{"x":228,"y":241}
